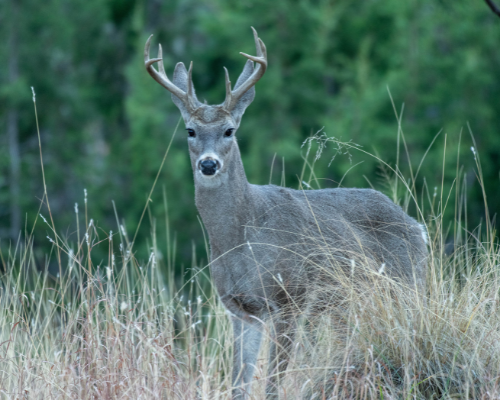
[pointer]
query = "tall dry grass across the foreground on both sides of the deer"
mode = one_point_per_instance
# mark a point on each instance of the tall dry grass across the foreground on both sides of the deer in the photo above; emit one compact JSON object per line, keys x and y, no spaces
{"x":121,"y":328}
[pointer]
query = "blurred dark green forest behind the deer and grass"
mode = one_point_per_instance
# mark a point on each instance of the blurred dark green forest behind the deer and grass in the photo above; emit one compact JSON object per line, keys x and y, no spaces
{"x":105,"y":124}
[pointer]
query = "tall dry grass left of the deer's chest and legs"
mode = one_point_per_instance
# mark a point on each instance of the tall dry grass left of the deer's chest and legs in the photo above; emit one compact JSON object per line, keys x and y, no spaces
{"x":110,"y":331}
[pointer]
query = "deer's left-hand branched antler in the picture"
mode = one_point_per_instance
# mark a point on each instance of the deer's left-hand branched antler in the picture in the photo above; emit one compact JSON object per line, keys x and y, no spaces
{"x":161,"y":77}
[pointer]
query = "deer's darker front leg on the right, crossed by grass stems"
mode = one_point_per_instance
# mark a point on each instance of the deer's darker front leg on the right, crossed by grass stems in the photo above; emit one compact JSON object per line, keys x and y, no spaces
{"x":282,"y":330}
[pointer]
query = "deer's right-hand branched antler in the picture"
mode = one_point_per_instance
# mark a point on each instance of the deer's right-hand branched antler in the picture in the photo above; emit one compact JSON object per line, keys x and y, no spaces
{"x":232,"y":97}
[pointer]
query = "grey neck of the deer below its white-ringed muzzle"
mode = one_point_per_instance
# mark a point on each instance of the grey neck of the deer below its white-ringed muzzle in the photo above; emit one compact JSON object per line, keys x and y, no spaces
{"x":224,"y":207}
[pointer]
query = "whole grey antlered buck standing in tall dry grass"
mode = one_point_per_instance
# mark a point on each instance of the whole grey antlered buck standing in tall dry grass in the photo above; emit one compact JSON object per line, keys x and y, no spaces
{"x":266,"y":242}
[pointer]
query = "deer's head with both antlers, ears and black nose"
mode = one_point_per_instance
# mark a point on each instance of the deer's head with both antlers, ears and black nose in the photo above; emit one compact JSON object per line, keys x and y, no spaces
{"x":211,"y":128}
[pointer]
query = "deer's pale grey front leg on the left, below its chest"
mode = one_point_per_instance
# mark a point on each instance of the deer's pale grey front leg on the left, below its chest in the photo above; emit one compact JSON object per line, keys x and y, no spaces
{"x":247,"y":338}
